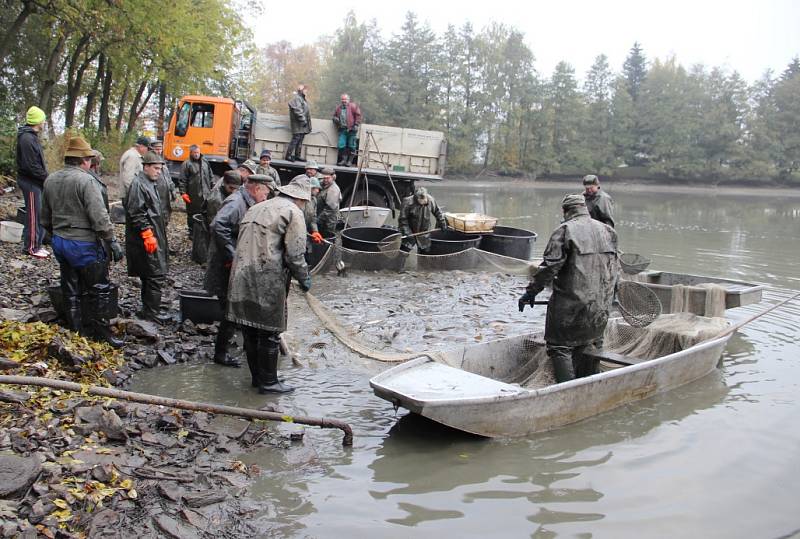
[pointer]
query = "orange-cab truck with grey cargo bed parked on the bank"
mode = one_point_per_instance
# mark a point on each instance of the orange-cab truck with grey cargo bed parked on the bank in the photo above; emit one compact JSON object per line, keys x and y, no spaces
{"x":228,"y":132}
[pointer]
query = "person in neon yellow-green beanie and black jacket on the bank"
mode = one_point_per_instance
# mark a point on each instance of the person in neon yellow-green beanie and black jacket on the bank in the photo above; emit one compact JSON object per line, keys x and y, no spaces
{"x":31,"y":174}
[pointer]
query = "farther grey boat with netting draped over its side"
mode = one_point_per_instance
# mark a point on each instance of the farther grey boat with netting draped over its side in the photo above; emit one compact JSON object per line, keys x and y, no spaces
{"x":737,"y":293}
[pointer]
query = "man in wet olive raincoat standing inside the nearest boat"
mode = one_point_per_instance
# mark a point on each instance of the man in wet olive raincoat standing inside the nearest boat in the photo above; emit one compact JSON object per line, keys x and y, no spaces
{"x":580,"y":263}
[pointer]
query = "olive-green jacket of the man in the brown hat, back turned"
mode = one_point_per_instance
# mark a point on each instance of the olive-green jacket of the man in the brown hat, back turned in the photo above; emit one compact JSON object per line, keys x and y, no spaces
{"x":73,"y":207}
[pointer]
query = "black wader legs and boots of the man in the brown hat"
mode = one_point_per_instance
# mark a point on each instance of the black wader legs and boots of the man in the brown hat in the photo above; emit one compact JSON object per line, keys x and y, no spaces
{"x":87,"y":290}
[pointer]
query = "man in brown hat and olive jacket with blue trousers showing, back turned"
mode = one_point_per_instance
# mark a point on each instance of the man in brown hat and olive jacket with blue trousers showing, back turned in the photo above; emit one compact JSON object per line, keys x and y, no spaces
{"x":76,"y":215}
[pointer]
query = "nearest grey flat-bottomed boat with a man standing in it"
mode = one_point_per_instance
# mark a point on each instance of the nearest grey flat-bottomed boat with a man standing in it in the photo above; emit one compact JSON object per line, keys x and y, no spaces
{"x":476,"y":388}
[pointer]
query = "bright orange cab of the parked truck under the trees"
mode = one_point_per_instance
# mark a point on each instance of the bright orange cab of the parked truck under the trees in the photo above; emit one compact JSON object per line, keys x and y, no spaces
{"x":221,"y":127}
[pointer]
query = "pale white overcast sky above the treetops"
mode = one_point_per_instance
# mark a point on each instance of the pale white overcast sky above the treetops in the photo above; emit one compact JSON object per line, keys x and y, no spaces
{"x":749,"y":36}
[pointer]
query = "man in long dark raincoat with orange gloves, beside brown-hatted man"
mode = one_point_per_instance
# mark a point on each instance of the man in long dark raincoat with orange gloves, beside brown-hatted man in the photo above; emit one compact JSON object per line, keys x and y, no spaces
{"x":146,"y":237}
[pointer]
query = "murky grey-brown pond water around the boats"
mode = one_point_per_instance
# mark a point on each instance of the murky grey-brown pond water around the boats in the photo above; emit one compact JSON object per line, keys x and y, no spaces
{"x":680,"y":464}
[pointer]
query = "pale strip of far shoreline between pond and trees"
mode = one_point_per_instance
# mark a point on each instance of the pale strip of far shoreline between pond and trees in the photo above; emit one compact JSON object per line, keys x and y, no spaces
{"x":627,"y":185}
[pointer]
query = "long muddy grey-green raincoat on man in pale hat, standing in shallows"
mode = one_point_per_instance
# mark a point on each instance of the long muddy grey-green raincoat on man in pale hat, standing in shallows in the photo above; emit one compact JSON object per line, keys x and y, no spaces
{"x":270,"y":251}
